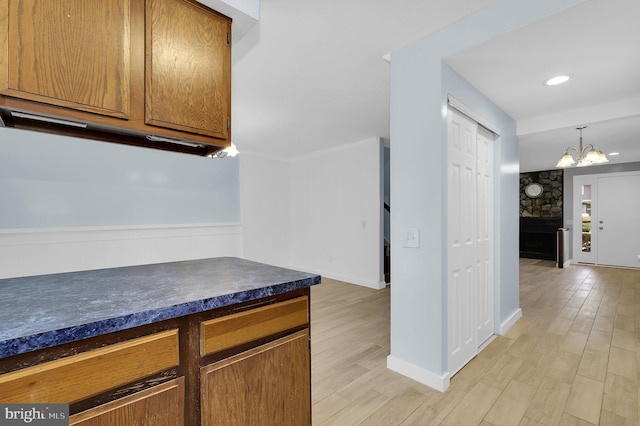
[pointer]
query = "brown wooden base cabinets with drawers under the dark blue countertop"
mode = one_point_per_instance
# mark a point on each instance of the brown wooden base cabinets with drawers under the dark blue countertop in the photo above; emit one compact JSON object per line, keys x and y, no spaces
{"x":243,"y":364}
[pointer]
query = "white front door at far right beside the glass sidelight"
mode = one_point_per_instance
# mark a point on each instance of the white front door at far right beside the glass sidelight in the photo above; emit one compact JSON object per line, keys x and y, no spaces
{"x":618,"y":220}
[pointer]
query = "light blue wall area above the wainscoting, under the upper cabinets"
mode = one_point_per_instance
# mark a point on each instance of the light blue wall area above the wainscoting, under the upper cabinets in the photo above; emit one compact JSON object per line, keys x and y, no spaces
{"x":57,"y":181}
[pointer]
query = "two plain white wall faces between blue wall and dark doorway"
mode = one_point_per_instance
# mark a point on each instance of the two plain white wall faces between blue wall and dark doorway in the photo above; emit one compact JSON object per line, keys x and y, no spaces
{"x":319,"y":213}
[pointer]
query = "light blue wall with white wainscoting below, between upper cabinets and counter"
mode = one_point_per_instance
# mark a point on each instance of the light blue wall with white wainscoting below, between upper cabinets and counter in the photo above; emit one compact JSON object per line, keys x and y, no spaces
{"x":69,"y":204}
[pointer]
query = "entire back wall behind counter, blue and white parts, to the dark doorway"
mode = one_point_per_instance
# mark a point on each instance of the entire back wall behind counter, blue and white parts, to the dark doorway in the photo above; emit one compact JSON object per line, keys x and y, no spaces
{"x":70,"y":204}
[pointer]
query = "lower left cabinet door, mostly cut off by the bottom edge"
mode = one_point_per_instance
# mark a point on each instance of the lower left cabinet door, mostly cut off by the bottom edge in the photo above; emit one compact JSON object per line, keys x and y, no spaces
{"x":160,"y":405}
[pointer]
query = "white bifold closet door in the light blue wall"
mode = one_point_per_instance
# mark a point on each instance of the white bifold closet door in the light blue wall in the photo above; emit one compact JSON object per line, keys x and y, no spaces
{"x":470,"y":282}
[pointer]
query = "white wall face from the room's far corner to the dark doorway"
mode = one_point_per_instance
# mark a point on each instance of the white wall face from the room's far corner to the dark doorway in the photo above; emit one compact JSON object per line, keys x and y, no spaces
{"x":336,"y":219}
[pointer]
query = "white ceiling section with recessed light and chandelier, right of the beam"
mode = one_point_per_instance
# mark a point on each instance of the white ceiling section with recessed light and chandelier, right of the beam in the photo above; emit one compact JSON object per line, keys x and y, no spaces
{"x":598,"y":43}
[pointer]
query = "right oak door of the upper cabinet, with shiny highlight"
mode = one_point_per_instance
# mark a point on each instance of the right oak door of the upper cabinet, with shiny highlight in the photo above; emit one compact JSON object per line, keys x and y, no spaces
{"x":188,"y":68}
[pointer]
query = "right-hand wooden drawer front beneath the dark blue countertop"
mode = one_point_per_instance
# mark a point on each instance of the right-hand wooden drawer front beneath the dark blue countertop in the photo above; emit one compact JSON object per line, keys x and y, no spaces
{"x":226,"y":332}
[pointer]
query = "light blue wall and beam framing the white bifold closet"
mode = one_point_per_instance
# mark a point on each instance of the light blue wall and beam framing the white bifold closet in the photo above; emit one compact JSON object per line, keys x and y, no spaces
{"x":419,"y":84}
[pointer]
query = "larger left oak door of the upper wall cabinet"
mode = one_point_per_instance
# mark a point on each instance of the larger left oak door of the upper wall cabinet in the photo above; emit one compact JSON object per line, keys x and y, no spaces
{"x":72,"y":53}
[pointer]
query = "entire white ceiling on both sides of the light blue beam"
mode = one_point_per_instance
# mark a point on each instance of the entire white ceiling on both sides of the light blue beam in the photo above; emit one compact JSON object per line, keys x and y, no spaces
{"x":311,"y":76}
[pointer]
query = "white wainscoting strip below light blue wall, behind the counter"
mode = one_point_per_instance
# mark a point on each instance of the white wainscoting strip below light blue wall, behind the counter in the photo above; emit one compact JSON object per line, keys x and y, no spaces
{"x":25,"y":252}
